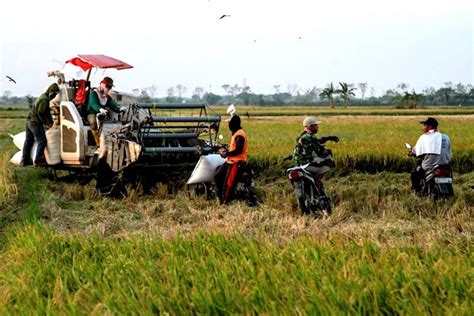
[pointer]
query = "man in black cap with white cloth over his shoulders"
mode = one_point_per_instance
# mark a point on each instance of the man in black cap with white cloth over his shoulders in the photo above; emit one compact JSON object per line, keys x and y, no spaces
{"x":432,"y":148}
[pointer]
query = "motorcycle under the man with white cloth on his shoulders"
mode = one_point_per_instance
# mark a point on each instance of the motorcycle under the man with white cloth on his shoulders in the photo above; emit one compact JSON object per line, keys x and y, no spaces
{"x":437,"y":182}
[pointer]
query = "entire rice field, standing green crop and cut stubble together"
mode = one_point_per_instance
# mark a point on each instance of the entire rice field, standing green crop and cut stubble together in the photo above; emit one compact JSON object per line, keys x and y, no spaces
{"x":65,"y":249}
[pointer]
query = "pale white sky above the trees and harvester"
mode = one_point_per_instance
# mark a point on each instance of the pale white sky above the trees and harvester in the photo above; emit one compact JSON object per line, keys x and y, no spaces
{"x":263,"y":43}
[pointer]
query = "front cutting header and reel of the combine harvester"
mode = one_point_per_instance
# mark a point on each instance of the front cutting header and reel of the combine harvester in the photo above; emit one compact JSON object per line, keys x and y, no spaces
{"x":162,"y":138}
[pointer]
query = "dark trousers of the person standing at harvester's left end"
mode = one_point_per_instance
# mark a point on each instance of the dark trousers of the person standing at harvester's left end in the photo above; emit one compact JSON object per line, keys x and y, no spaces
{"x":34,"y":131}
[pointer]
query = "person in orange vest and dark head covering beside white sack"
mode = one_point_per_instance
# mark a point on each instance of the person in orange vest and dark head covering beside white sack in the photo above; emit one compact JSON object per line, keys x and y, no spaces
{"x":236,"y":157}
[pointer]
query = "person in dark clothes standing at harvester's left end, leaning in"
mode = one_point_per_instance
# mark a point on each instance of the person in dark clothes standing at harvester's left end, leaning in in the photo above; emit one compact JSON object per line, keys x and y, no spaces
{"x":38,"y":120}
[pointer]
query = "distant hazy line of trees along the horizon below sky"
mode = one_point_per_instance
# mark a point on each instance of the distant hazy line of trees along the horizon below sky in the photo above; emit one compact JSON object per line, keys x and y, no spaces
{"x":341,"y":94}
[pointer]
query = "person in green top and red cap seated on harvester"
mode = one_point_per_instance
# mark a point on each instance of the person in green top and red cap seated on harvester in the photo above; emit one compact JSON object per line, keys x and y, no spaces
{"x":100,"y":101}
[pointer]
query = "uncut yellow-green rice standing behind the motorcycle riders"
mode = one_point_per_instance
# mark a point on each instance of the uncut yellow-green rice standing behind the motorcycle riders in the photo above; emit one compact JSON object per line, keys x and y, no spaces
{"x":369,"y":144}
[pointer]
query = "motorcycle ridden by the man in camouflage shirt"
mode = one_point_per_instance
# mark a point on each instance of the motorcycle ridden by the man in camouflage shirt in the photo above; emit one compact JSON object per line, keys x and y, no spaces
{"x":310,"y":193}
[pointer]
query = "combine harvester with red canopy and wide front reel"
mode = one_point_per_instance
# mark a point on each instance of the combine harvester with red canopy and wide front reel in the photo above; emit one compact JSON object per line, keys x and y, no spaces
{"x":148,"y":143}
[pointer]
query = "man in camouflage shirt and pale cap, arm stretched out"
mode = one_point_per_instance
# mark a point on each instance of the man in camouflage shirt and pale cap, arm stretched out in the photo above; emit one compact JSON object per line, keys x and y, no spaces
{"x":308,"y":147}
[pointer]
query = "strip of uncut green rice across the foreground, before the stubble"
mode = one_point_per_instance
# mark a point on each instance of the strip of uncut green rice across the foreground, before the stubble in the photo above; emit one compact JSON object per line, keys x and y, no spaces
{"x":50,"y":273}
